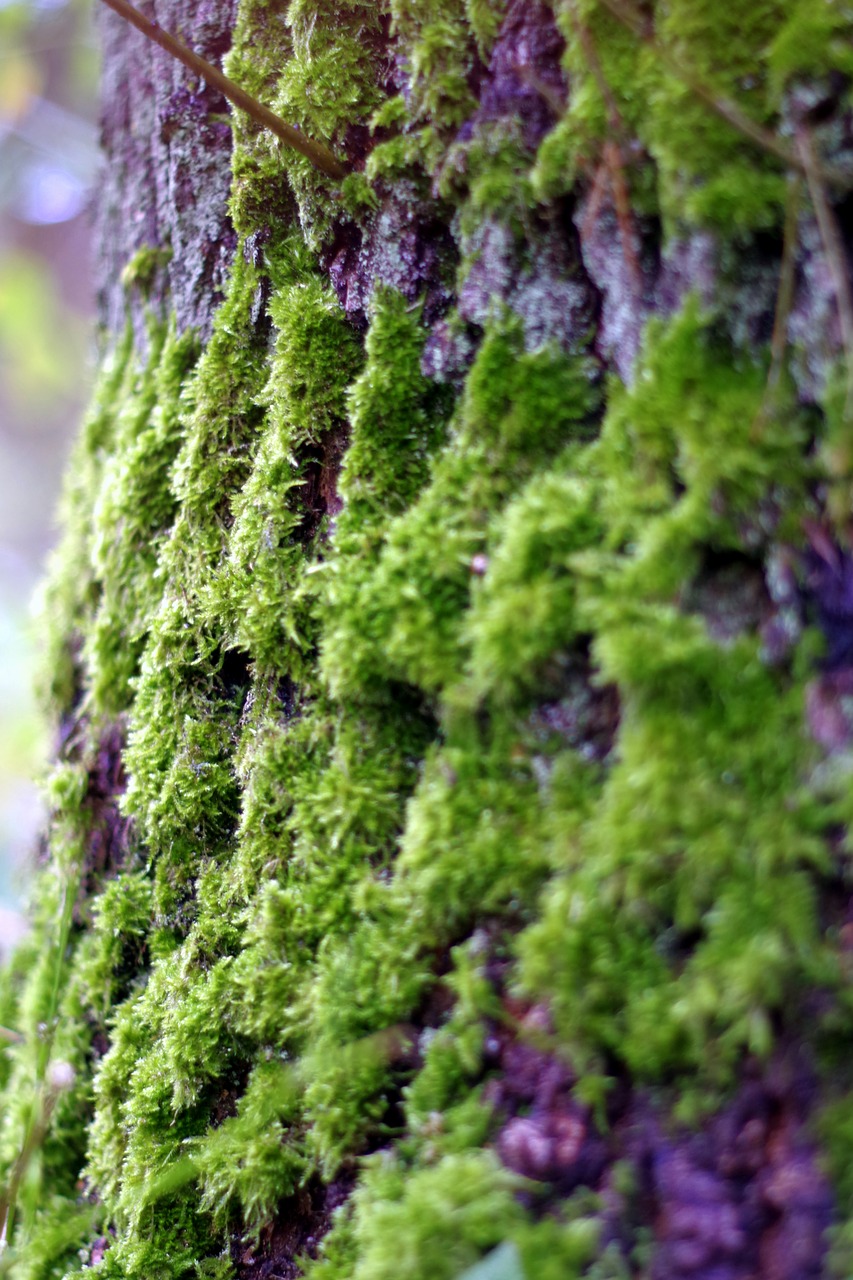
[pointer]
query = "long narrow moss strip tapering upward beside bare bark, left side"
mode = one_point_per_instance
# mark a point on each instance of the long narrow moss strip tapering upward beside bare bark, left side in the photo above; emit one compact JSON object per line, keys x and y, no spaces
{"x":183,"y":793}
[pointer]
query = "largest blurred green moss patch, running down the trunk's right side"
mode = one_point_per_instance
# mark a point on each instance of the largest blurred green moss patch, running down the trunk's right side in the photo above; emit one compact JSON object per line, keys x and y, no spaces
{"x":701,"y":826}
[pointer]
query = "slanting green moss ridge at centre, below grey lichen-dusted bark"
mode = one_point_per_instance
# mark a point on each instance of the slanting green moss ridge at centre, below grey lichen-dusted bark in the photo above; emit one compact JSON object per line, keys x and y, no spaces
{"x":516,"y":415}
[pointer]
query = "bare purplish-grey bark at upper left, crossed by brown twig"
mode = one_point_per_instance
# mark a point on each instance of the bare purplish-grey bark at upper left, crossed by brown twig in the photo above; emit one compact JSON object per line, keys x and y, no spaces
{"x":167,"y":172}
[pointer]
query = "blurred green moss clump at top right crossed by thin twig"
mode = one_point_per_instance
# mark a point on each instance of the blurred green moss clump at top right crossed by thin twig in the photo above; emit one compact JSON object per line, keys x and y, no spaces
{"x":705,"y":171}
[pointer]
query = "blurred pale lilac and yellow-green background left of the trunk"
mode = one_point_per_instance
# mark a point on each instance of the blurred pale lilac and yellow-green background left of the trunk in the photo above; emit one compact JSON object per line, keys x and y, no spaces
{"x":48,"y":168}
